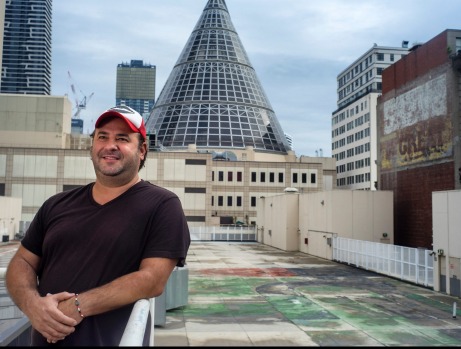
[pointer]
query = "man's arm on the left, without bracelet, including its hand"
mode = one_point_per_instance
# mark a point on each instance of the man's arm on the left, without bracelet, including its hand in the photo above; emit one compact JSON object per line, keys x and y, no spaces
{"x":43,"y":312}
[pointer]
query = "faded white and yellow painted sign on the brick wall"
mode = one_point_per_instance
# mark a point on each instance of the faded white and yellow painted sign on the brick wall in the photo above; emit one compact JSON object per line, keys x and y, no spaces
{"x":416,"y":126}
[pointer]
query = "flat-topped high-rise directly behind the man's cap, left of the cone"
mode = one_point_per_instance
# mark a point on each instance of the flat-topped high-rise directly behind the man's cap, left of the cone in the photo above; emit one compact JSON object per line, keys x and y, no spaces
{"x":136,"y":86}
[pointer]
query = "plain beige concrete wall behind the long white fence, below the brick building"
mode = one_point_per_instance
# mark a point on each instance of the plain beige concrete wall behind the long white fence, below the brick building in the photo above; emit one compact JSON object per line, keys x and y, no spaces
{"x":360,"y":215}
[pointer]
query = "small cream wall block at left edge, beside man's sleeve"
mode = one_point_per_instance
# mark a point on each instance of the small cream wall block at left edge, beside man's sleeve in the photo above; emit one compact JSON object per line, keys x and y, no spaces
{"x":10,"y":216}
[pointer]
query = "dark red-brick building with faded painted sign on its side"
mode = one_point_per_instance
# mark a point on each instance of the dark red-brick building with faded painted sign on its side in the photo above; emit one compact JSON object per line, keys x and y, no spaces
{"x":419,"y":121}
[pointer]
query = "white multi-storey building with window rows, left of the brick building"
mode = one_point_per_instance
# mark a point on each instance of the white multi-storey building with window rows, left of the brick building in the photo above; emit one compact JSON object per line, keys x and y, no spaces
{"x":354,"y":123}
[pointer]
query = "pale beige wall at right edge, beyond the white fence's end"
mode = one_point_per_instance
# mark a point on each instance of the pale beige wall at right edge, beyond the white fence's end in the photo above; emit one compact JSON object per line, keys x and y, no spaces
{"x":446,"y":220}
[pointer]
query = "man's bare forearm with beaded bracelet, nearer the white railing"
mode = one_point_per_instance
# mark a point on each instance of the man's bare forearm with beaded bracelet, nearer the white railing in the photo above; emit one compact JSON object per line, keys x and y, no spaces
{"x":149,"y":281}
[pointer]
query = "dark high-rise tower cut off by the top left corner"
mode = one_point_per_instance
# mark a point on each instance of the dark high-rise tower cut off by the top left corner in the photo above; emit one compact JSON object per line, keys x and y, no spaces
{"x":26,"y":54}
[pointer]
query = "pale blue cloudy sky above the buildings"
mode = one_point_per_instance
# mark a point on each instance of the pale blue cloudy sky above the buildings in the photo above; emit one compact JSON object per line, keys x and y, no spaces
{"x":297,"y":48}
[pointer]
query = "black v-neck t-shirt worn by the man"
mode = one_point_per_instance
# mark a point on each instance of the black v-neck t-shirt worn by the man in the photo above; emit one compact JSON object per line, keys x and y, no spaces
{"x":83,"y":245}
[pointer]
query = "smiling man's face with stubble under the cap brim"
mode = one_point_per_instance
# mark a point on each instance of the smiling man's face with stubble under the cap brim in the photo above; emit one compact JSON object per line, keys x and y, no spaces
{"x":115,"y":151}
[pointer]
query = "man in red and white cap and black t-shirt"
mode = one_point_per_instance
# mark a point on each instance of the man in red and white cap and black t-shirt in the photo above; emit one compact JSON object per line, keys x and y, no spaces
{"x":90,"y":253}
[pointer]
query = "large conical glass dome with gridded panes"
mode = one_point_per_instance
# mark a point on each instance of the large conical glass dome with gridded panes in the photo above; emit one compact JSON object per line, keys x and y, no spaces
{"x":213,"y":97}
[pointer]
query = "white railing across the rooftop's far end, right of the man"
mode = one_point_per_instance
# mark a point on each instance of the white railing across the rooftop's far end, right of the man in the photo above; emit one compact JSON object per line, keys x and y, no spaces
{"x":223,"y":233}
